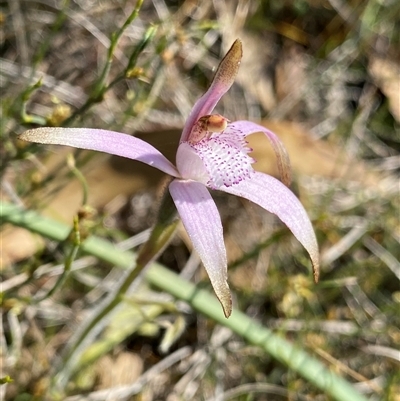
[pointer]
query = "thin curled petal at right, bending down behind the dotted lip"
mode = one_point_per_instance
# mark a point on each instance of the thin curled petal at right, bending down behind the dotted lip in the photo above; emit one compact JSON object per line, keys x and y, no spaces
{"x":282,"y":157}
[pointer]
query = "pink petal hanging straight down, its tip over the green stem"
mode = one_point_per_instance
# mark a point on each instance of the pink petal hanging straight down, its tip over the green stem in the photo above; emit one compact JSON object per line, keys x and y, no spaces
{"x":202,"y":222}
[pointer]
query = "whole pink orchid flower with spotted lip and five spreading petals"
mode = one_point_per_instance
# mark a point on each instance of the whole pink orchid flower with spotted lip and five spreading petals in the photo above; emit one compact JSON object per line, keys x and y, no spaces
{"x":212,"y":153}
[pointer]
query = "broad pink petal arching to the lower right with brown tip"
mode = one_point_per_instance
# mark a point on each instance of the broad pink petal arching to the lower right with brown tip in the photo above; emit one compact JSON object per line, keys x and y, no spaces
{"x":275,"y":197}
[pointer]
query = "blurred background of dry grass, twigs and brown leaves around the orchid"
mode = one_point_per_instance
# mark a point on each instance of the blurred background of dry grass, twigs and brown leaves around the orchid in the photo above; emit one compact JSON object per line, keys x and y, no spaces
{"x":323,"y":74}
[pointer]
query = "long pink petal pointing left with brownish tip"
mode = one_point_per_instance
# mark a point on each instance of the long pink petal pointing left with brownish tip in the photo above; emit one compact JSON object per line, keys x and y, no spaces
{"x":111,"y":142}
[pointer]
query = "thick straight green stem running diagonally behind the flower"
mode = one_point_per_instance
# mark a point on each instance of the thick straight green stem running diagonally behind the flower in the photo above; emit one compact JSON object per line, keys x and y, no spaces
{"x":292,"y":356}
